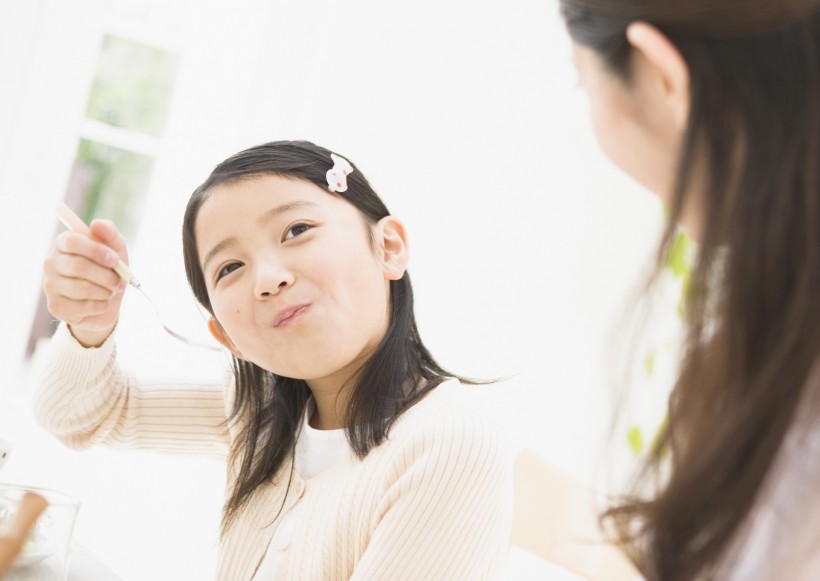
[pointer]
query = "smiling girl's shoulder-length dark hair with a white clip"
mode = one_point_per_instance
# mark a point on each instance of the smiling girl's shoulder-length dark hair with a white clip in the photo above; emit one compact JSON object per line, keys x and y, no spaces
{"x":270,"y":408}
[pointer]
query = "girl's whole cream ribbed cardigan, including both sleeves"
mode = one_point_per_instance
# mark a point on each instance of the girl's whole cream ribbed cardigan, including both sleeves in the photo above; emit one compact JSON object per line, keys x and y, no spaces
{"x":432,"y":502}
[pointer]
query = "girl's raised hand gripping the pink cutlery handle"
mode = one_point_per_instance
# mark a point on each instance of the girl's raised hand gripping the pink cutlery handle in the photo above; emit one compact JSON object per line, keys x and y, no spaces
{"x":81,"y":287}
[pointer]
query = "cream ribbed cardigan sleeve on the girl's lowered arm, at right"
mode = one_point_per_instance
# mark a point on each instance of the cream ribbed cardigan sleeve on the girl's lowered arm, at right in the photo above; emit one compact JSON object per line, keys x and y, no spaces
{"x":447,"y":512}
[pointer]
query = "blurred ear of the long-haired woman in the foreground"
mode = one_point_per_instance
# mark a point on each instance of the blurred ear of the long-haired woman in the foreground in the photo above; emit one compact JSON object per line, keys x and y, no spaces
{"x":664,"y":70}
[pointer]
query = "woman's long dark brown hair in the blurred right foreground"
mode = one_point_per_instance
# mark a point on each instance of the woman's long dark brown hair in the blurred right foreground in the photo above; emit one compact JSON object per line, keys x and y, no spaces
{"x":752,"y":306}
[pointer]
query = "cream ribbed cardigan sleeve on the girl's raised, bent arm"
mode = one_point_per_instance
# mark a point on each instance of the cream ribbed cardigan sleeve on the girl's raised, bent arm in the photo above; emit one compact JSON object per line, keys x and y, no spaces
{"x":84,"y":398}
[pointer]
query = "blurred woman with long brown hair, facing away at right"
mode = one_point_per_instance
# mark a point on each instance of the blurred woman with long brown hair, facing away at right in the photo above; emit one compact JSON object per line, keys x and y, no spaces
{"x":715,"y":106}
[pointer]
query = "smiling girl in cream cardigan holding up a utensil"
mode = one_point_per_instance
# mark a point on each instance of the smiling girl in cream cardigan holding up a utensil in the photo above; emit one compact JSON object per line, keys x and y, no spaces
{"x":352,"y":453}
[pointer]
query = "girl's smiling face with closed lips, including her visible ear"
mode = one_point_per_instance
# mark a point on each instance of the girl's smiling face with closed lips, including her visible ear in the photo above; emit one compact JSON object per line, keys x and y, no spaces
{"x":296,"y":285}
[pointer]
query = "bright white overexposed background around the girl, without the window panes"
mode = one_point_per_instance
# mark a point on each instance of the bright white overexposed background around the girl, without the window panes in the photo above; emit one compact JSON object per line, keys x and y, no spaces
{"x":465,"y":117}
